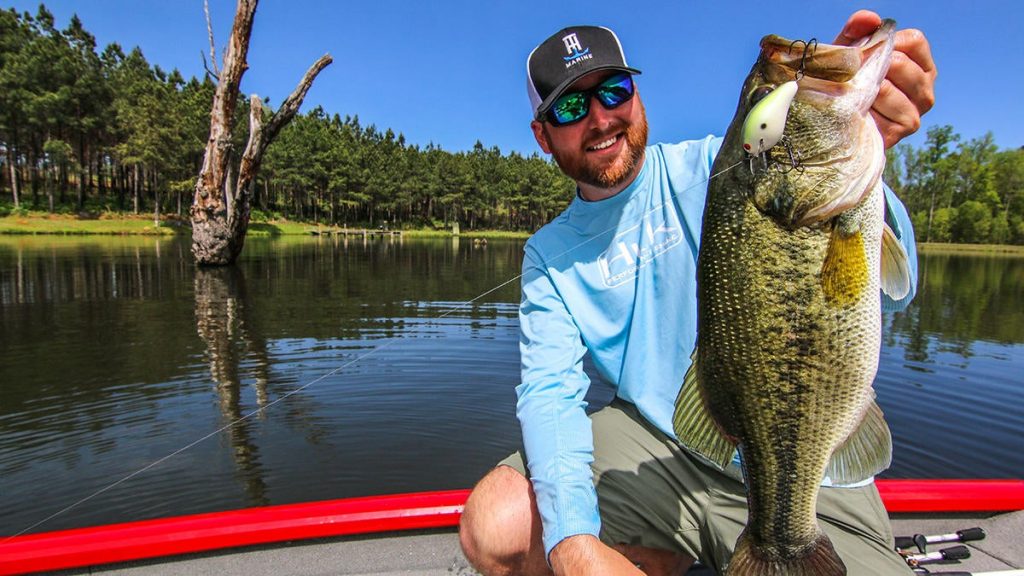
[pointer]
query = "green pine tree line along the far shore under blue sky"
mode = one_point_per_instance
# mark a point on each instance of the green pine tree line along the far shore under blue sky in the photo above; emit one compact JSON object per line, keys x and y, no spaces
{"x":89,"y":131}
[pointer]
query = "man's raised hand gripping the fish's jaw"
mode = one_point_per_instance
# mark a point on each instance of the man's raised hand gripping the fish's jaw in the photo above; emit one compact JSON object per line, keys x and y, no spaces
{"x":909,"y":91}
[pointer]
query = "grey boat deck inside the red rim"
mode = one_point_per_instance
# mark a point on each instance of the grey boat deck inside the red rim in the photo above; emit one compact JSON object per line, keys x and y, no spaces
{"x":437,"y":553}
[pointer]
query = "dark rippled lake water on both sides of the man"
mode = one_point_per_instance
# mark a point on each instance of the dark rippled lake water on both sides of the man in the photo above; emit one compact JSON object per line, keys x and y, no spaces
{"x":134,"y":386}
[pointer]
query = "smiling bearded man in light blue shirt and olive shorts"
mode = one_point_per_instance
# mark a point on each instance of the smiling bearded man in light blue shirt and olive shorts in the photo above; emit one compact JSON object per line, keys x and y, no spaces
{"x":614,"y":493}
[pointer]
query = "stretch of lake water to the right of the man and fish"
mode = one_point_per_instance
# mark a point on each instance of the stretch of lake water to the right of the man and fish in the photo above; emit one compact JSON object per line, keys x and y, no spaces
{"x":949,"y":380}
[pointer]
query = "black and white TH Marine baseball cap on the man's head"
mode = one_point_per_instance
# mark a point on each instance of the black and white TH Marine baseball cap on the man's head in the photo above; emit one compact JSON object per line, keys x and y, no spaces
{"x":567,"y":57}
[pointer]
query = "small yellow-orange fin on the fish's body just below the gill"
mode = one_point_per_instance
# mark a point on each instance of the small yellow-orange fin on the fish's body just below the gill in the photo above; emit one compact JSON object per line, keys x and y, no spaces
{"x":844,"y":273}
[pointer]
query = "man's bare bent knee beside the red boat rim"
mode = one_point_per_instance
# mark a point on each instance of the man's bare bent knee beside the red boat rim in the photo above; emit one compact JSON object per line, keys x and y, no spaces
{"x":500,"y":530}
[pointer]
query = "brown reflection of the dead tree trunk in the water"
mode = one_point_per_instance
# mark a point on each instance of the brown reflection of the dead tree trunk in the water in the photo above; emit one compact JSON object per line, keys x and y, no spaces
{"x":225,"y":324}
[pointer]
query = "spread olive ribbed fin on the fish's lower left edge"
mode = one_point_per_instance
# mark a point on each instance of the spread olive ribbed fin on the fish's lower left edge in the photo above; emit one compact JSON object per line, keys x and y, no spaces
{"x":695,"y":426}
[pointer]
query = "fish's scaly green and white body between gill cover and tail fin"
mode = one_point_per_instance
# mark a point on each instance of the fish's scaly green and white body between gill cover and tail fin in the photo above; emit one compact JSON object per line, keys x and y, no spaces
{"x":786,"y":373}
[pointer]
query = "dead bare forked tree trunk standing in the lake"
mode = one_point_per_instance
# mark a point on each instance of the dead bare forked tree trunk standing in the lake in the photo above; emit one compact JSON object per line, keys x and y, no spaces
{"x":221,"y":209}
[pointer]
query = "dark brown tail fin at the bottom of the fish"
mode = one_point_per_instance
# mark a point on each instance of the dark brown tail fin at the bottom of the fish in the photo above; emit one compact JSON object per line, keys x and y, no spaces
{"x":818,"y":559}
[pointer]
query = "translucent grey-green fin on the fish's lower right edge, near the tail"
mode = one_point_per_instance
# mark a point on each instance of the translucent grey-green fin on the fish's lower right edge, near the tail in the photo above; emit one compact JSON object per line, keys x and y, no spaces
{"x":866,"y":454}
